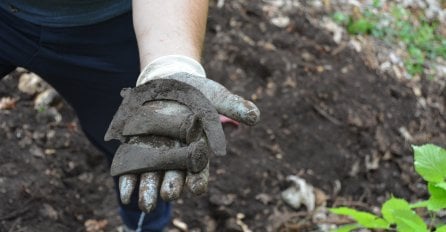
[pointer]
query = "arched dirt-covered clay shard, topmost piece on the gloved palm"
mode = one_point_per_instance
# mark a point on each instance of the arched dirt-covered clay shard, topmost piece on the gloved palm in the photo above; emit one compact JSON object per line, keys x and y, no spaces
{"x":170,"y":90}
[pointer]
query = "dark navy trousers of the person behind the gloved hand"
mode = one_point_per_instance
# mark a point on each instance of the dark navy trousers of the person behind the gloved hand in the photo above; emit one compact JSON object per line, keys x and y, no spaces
{"x":88,"y":66}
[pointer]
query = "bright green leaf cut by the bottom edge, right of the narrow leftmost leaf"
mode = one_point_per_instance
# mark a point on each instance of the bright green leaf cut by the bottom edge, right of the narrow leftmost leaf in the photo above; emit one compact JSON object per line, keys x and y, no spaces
{"x":407,"y":220}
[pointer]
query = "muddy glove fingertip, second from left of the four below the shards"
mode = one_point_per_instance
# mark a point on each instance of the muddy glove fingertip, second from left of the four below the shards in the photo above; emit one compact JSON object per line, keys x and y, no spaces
{"x":148,"y":190}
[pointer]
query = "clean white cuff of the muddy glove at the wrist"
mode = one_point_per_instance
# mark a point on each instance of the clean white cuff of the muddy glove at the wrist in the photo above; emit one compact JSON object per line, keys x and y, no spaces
{"x":168,"y":65}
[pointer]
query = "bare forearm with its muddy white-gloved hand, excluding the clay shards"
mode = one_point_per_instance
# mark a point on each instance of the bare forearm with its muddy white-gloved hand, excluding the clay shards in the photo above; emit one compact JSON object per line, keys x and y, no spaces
{"x":170,"y":37}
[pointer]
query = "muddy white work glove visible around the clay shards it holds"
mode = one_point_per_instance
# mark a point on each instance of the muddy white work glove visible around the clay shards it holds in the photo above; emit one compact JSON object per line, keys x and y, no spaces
{"x":170,"y":183}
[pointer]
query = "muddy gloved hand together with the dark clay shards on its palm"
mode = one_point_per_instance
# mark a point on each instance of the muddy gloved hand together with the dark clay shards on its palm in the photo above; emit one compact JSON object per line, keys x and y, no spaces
{"x":168,"y":126}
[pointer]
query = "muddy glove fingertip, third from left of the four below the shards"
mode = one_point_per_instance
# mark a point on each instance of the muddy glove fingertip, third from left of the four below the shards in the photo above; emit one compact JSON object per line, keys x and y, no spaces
{"x":172,"y":185}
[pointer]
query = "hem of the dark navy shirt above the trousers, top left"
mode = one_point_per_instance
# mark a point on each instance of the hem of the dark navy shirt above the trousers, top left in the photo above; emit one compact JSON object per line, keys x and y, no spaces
{"x":63,"y":13}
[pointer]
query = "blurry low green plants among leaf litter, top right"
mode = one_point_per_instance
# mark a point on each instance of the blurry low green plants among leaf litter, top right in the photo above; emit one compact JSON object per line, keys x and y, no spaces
{"x":398,"y":25}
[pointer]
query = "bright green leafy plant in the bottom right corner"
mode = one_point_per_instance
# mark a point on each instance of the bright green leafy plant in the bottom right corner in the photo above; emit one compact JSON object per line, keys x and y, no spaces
{"x":430,"y":163}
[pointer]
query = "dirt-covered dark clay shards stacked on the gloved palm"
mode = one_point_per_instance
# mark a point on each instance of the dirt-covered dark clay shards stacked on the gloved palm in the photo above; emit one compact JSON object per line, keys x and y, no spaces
{"x":136,"y":104}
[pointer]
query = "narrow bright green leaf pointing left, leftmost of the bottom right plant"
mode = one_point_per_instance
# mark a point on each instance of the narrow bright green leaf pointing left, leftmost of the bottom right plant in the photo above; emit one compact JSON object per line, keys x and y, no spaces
{"x":363,"y":218}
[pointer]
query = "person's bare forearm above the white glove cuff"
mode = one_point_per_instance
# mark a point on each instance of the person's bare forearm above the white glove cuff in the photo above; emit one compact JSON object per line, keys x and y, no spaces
{"x":169,"y":27}
